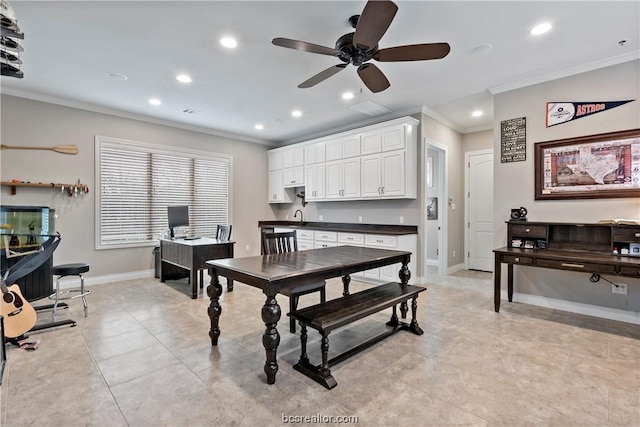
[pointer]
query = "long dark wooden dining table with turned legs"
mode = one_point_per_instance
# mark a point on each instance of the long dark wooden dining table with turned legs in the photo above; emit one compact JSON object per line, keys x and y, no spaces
{"x":273,"y":273}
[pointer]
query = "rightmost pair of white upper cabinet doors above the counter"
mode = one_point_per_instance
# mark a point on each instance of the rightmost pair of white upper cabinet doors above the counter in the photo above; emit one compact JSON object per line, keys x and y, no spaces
{"x":383,"y":175}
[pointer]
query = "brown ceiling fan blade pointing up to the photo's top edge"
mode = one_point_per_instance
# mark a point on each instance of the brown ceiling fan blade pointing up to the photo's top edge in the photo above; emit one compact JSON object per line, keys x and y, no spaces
{"x":373,"y":23}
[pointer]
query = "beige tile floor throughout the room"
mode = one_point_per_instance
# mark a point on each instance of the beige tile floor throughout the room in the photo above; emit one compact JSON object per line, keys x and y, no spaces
{"x":143,"y":358}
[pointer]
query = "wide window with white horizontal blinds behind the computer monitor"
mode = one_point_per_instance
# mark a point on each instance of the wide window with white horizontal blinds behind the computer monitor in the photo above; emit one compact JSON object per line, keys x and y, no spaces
{"x":135,"y":182}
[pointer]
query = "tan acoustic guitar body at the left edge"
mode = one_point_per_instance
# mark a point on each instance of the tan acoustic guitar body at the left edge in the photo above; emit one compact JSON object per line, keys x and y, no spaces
{"x":19,"y":315}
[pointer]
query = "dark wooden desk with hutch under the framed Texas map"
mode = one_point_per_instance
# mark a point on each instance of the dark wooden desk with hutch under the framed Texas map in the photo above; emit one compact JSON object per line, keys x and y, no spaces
{"x":587,"y":248}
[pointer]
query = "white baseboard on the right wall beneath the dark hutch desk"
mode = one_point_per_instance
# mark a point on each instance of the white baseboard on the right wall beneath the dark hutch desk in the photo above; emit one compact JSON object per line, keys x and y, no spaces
{"x":575,"y":307}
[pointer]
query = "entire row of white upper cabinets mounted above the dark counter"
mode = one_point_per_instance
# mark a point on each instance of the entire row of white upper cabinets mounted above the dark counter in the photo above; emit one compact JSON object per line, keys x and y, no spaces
{"x":348,"y":172}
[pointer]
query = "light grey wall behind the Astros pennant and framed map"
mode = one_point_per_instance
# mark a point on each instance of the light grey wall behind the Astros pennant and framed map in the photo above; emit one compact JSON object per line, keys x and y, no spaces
{"x":514,"y":182}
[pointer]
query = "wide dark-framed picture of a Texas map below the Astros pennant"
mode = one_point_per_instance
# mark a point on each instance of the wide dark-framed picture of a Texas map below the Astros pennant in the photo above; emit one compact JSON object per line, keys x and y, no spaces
{"x":606,"y":165}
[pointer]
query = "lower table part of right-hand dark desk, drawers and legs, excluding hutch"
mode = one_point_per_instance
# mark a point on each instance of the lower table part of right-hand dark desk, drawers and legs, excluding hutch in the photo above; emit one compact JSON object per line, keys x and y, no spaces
{"x":559,"y":260}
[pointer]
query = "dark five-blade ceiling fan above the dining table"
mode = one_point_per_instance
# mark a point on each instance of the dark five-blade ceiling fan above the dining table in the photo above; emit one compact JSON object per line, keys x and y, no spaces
{"x":361,"y":46}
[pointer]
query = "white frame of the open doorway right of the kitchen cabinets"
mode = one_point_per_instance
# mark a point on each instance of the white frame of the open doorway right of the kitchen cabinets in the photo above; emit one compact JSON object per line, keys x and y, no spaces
{"x":442,"y":205}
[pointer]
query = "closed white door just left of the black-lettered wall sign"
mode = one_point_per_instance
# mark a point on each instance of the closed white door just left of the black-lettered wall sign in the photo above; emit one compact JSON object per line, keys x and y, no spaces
{"x":480,"y":211}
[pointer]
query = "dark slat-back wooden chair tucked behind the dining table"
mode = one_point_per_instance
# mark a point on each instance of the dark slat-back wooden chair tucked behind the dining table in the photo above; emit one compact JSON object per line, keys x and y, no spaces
{"x":279,"y":242}
